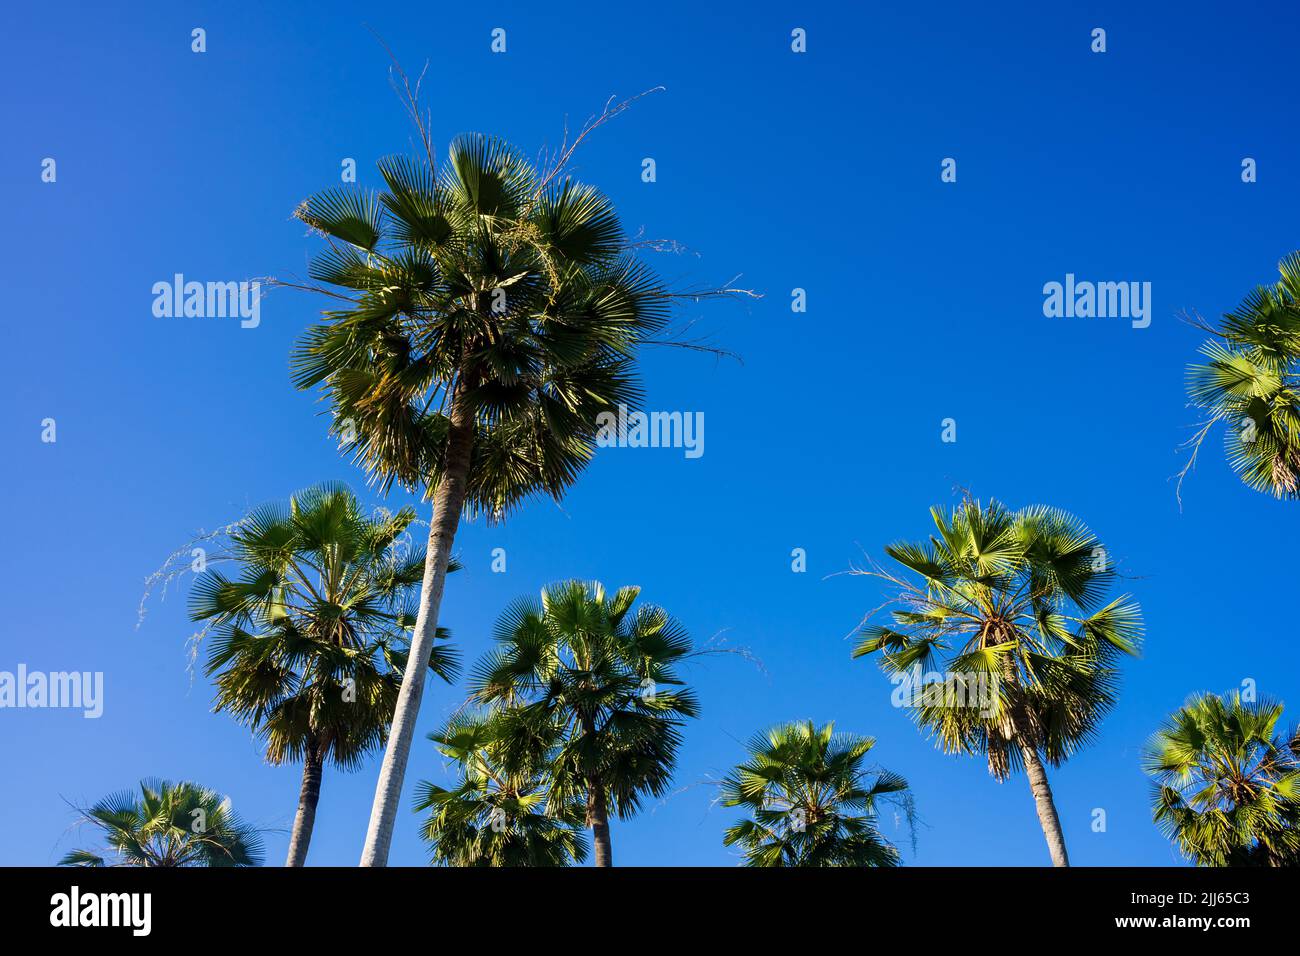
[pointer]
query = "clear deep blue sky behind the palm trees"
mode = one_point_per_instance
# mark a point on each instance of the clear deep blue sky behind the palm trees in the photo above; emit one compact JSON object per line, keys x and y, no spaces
{"x":817,"y":171}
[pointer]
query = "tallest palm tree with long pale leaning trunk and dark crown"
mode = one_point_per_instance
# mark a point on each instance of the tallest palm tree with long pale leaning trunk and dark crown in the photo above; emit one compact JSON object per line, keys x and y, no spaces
{"x":489,"y":314}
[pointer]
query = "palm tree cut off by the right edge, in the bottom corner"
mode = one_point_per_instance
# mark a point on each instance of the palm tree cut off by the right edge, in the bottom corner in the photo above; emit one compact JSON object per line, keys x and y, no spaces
{"x":1227,"y":788}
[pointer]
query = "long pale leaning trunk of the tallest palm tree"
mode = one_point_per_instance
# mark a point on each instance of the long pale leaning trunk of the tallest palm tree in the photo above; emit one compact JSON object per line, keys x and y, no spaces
{"x":448,"y":500}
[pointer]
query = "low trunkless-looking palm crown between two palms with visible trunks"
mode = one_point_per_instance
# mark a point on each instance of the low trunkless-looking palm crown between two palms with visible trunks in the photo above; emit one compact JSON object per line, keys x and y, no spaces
{"x":812,"y":799}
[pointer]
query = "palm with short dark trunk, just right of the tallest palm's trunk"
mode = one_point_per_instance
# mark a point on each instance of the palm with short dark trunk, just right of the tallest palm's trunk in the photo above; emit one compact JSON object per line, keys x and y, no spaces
{"x":588,"y":685}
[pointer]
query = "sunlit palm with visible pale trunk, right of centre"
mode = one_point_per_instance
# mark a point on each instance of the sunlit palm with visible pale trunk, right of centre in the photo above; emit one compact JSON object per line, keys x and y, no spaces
{"x":1011,"y":611}
